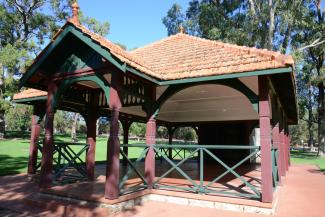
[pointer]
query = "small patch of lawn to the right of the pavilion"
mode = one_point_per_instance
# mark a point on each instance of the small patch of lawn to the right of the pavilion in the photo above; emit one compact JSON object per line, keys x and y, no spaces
{"x":306,"y":157}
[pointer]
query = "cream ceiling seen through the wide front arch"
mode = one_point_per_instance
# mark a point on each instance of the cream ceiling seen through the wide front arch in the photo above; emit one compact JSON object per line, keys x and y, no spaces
{"x":207,"y":103}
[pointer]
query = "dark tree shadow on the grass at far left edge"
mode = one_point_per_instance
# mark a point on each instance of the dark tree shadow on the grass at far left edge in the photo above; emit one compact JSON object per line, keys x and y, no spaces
{"x":11,"y":165}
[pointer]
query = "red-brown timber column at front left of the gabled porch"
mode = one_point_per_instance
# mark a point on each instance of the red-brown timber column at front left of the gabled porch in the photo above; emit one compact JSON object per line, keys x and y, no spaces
{"x":48,"y":145}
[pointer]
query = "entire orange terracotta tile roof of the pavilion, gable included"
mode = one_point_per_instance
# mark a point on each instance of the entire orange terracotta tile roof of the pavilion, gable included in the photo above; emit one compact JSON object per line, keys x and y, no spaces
{"x":182,"y":56}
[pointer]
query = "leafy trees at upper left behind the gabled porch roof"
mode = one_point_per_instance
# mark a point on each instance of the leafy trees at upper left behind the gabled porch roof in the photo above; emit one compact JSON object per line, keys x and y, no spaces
{"x":25,"y":26}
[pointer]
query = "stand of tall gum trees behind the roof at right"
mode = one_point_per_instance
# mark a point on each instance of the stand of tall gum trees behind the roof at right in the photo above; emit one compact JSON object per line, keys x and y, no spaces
{"x":284,"y":26}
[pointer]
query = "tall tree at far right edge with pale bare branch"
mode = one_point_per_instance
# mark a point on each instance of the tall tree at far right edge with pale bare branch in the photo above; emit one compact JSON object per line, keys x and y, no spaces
{"x":312,"y":39}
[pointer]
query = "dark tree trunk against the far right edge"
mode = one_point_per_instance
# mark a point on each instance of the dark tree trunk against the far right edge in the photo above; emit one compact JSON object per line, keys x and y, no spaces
{"x":321,"y":120}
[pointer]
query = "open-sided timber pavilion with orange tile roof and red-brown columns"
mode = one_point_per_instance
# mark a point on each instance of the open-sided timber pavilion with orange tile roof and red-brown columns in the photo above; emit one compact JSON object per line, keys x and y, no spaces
{"x":222,"y":90}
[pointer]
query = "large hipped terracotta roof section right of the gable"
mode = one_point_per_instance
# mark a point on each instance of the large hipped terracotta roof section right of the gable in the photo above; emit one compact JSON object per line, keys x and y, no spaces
{"x":183,"y":56}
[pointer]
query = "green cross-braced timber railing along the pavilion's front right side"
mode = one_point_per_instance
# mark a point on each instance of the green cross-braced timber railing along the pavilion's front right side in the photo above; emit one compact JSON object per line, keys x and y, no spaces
{"x":200,"y":186}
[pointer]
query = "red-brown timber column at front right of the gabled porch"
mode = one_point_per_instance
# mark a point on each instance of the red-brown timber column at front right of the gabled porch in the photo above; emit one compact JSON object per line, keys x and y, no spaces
{"x":113,"y":145}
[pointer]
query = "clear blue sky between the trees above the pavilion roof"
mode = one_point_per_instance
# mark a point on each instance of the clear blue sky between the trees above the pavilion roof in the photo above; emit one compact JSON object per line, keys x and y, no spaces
{"x":133,"y":23}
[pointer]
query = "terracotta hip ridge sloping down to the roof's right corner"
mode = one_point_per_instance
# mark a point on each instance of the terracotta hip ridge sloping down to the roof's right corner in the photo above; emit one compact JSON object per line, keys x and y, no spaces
{"x":274,"y":55}
